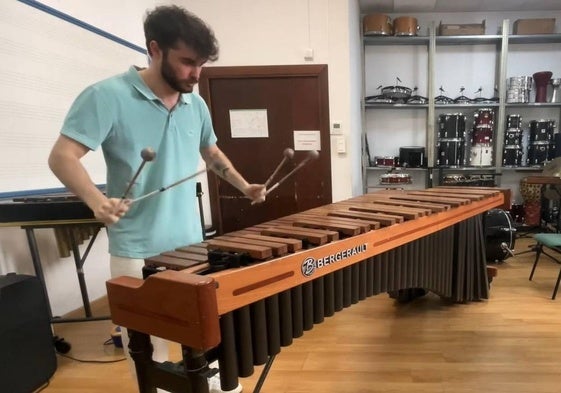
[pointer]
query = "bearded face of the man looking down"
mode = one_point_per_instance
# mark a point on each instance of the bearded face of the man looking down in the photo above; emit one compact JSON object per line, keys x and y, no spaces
{"x":181,"y":68}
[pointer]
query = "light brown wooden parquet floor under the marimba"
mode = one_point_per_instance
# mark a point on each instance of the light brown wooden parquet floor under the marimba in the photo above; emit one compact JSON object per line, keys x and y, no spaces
{"x":508,"y":344}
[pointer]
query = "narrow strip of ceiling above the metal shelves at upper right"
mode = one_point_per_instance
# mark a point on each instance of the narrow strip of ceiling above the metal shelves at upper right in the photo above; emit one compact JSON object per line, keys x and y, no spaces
{"x":396,"y":6}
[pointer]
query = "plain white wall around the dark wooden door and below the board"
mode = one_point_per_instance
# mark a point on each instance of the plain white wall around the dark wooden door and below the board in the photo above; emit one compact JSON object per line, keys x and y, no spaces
{"x":250,"y":32}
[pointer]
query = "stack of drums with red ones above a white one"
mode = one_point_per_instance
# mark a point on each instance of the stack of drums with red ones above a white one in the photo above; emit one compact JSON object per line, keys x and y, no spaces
{"x":482,"y":138}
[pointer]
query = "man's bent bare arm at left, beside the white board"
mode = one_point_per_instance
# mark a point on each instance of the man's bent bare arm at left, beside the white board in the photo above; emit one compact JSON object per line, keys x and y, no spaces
{"x":64,"y":161}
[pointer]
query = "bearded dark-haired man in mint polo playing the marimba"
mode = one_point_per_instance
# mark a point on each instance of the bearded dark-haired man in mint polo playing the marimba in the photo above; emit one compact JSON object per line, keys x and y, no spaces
{"x":152,"y":107}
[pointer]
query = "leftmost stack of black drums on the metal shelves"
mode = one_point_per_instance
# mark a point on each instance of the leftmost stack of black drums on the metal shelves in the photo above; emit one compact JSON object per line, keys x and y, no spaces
{"x":451,"y":139}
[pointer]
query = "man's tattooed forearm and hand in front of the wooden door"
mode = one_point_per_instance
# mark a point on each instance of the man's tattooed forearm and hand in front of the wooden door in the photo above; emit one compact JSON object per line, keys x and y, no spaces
{"x":217,"y":161}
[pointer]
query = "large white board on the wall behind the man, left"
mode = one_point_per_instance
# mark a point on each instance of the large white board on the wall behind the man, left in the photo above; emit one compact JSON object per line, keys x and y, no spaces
{"x":46,"y":63}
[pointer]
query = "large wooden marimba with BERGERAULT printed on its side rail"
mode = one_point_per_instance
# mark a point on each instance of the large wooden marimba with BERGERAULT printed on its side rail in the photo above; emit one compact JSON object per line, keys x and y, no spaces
{"x":298,"y":270}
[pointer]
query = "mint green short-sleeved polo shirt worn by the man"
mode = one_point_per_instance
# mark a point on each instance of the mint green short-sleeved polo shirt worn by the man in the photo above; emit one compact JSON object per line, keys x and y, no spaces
{"x":123,"y":116}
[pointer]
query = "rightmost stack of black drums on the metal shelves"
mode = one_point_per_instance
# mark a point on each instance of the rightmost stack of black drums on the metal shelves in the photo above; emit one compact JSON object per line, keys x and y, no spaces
{"x":542,"y":145}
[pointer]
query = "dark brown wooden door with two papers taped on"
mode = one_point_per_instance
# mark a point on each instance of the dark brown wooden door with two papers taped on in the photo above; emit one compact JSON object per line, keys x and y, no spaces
{"x":295,"y":99}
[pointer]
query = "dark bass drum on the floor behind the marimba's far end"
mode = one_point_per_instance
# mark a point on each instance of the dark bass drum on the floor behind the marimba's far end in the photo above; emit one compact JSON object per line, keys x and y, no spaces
{"x":499,"y":235}
